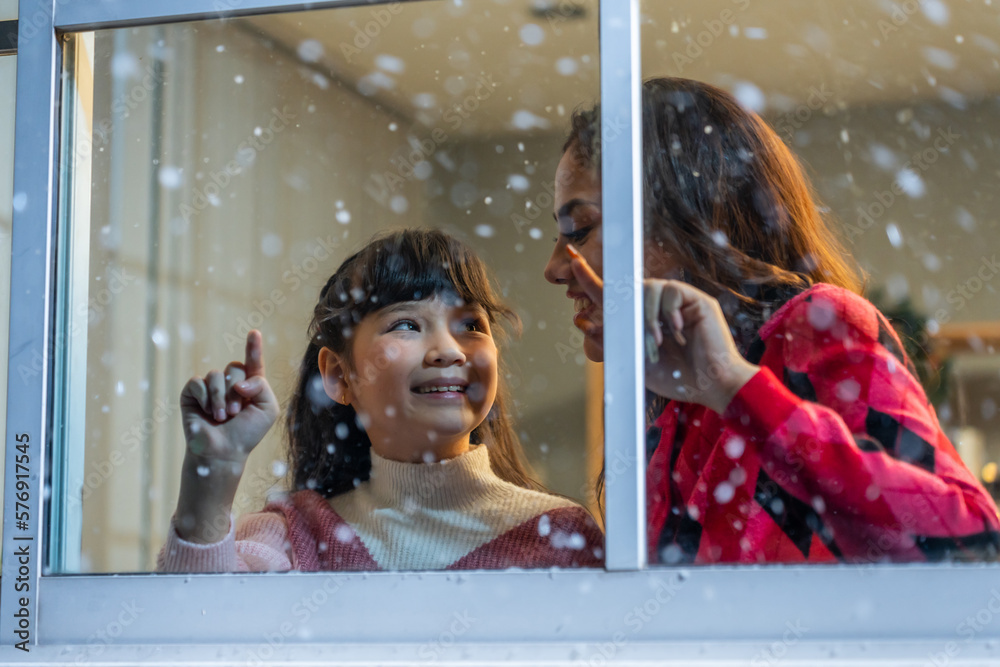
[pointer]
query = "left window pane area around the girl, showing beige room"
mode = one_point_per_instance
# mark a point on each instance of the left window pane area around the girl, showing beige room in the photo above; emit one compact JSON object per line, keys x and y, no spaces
{"x":339,"y":135}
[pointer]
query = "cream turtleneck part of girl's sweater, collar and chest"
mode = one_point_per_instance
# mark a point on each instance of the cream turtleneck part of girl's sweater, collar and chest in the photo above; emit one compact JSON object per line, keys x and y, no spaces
{"x":425,"y":516}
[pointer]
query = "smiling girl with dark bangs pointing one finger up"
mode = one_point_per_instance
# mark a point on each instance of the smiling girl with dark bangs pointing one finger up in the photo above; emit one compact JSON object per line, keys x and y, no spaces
{"x":401,"y":447}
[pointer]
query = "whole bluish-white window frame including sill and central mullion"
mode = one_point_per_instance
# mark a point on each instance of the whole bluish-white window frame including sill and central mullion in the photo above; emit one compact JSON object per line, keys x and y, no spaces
{"x":892,"y":614}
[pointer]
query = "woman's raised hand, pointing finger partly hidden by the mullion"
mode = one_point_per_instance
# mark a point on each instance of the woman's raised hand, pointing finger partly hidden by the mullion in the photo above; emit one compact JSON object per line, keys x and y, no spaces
{"x":690,"y":354}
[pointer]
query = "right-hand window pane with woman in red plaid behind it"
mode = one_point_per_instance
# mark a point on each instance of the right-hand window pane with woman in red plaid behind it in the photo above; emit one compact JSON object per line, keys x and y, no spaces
{"x":843,"y":448}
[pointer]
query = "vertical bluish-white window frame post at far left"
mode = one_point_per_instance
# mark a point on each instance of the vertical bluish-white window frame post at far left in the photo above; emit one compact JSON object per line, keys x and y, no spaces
{"x":31,"y":292}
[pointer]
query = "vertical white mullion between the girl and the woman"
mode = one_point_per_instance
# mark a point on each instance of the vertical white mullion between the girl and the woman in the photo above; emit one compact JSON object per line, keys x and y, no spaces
{"x":621,"y":155}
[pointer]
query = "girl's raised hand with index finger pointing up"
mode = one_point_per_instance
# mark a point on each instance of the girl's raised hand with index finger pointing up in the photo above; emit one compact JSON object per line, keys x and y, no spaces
{"x":226,"y":414}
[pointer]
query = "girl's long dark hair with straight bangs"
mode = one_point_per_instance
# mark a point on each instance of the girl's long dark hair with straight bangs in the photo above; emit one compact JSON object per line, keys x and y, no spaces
{"x":329,"y":452}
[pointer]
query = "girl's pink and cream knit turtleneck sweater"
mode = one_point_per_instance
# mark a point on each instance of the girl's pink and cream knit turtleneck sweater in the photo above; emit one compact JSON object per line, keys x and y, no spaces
{"x":304,"y":532}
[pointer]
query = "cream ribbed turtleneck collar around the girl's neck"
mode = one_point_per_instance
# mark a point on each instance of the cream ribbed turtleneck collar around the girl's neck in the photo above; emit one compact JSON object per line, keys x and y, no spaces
{"x":449,"y":484}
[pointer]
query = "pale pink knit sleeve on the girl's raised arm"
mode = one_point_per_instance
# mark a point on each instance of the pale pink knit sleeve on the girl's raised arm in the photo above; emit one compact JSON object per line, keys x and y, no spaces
{"x":255,"y":543}
